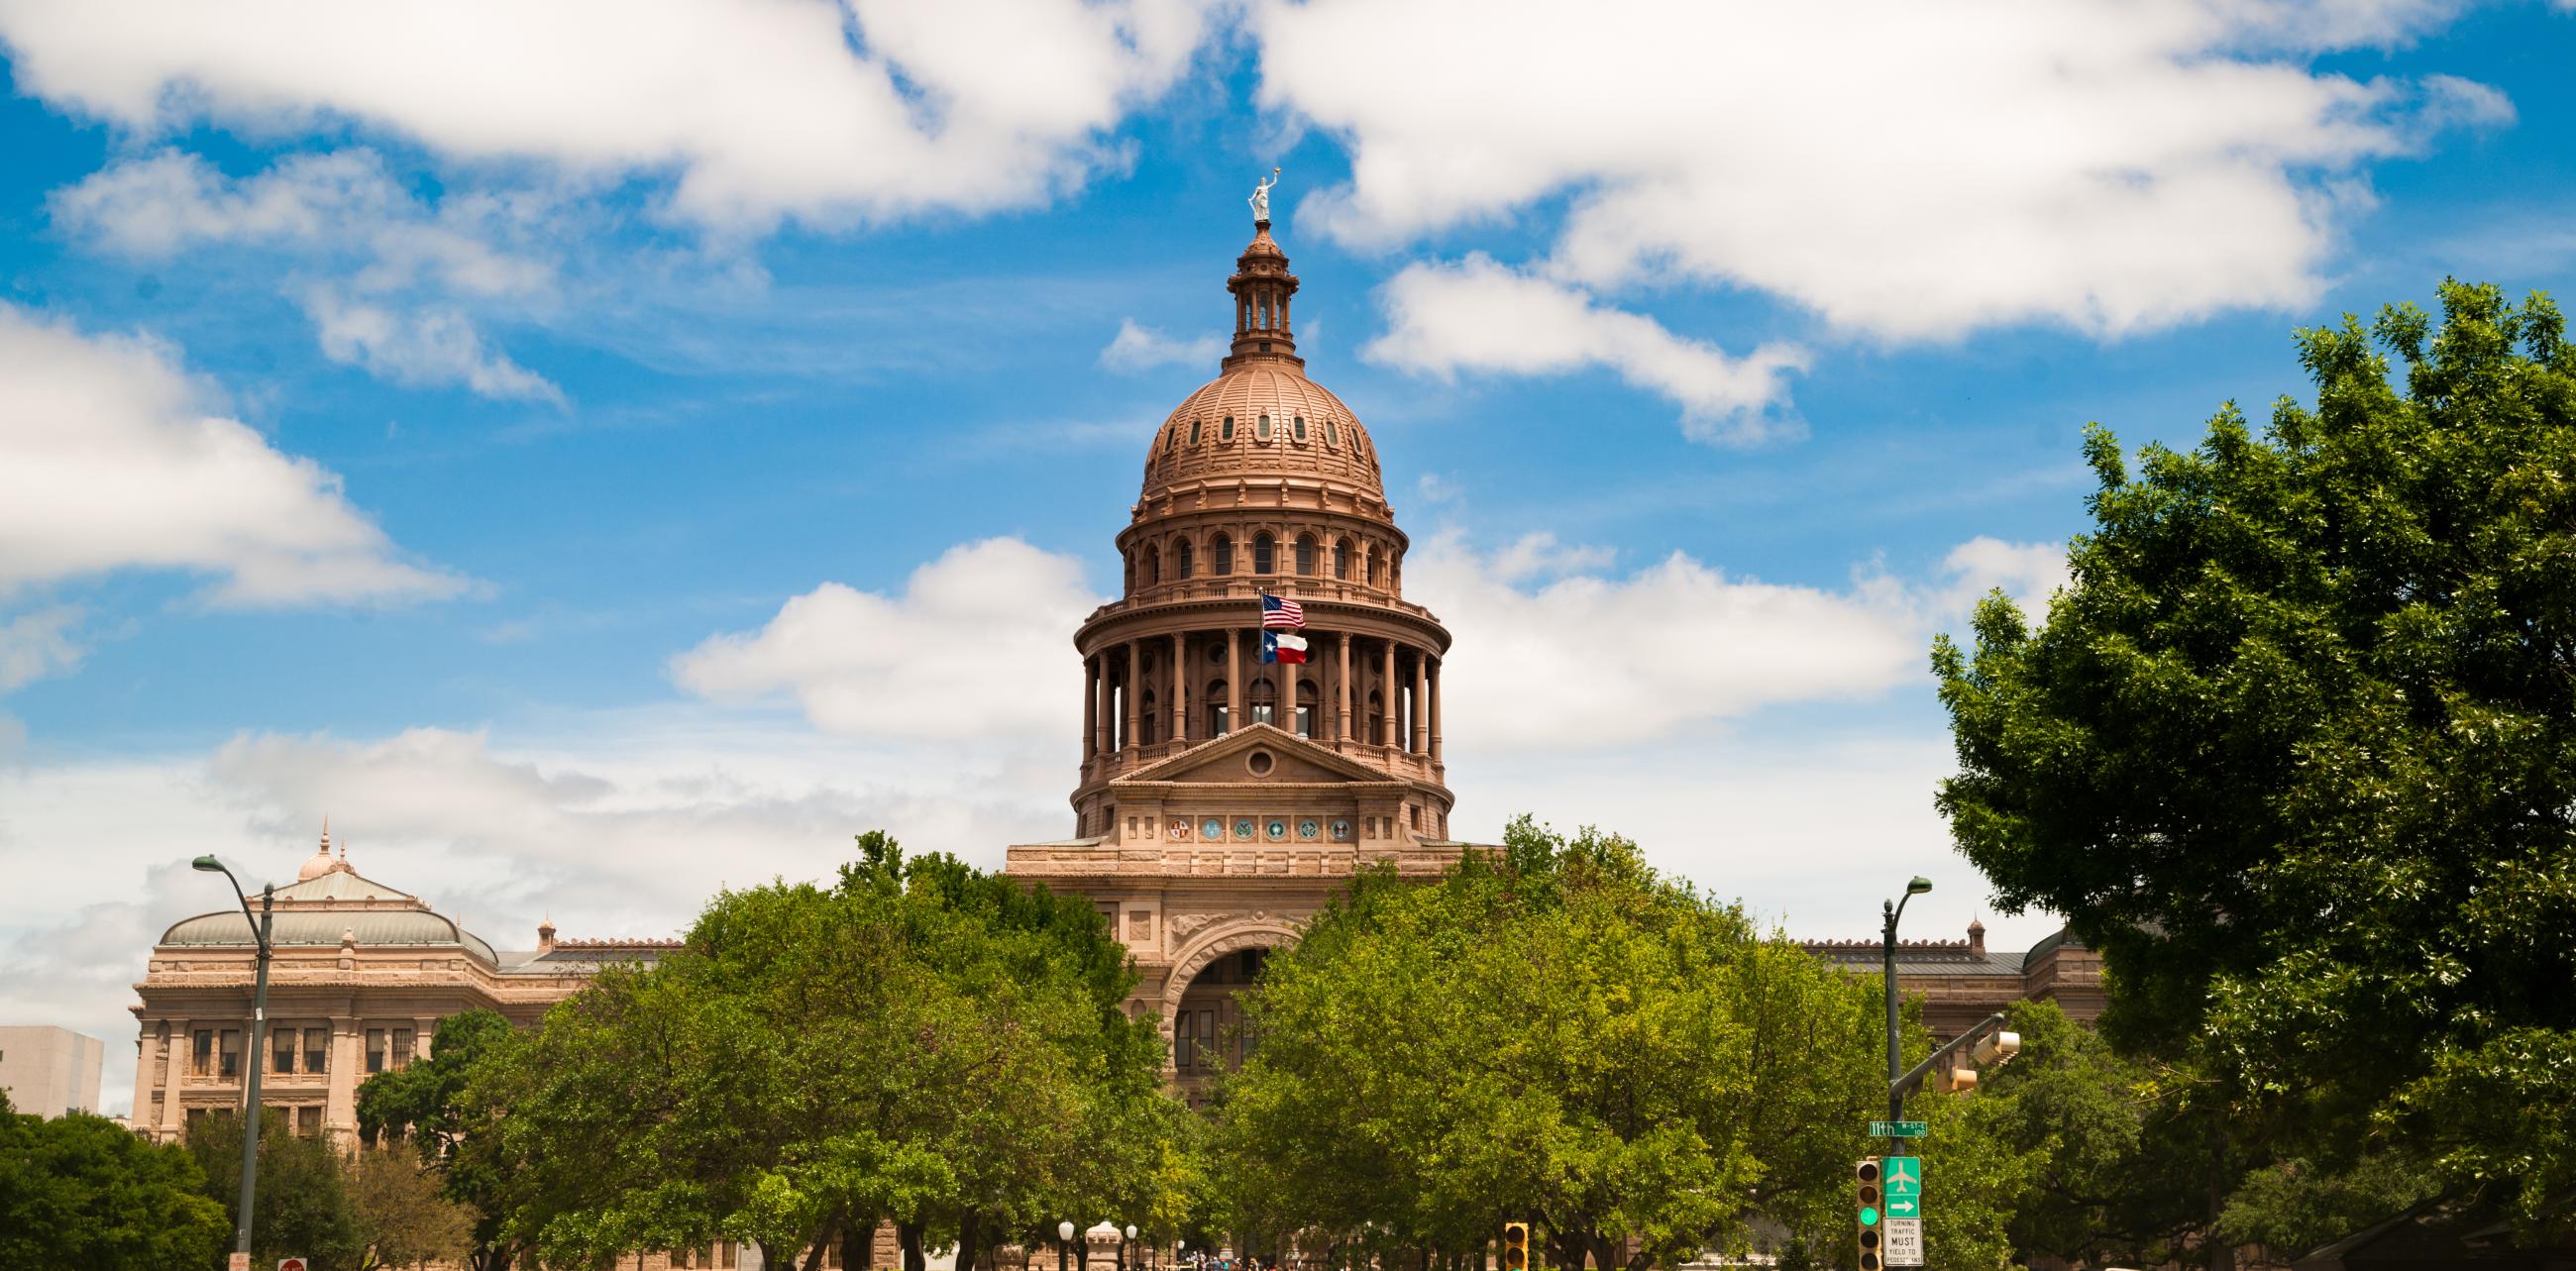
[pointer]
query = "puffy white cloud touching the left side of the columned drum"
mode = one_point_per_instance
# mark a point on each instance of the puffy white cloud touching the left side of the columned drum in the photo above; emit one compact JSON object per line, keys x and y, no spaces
{"x":978,"y":646}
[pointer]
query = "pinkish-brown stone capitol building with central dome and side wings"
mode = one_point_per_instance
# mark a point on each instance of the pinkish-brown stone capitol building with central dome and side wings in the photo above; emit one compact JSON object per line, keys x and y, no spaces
{"x":1222,"y":800}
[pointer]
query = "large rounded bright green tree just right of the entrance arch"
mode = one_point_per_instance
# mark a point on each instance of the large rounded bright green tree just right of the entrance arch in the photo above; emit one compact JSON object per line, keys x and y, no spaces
{"x":1552,"y":1033}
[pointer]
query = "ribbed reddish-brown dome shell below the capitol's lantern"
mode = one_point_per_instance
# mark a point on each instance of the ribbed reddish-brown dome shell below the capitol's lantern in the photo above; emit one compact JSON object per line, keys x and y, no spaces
{"x":1282,"y":427}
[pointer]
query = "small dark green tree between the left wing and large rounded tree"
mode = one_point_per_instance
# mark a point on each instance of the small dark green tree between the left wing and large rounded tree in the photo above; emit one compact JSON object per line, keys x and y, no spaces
{"x":429,"y":1105}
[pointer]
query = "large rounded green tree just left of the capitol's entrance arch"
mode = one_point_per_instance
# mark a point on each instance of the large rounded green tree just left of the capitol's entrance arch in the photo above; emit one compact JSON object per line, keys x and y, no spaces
{"x":918,"y":1045}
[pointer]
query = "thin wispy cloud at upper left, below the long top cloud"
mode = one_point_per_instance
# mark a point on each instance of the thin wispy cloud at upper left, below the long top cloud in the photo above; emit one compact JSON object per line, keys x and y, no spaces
{"x":403,"y":269}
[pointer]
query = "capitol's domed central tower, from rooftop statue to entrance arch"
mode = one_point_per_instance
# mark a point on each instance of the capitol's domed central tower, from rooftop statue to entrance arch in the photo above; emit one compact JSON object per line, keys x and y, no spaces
{"x":1225,"y":800}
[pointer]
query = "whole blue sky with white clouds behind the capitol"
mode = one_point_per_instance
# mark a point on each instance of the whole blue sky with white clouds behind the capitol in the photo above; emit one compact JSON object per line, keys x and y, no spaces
{"x":658,"y":445}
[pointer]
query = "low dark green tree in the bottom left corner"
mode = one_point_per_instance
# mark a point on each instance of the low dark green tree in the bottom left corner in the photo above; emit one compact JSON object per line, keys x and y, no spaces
{"x":86,"y":1195}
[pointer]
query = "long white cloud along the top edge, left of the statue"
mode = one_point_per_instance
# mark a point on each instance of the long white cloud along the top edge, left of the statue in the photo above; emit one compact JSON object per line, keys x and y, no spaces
{"x":759,"y":112}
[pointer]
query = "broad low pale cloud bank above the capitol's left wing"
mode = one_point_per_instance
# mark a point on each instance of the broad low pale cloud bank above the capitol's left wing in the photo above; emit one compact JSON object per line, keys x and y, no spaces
{"x":620,"y":834}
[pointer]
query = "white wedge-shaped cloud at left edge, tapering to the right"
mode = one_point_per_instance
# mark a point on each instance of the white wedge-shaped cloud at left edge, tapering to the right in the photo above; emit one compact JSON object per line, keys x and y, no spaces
{"x":109,"y":460}
